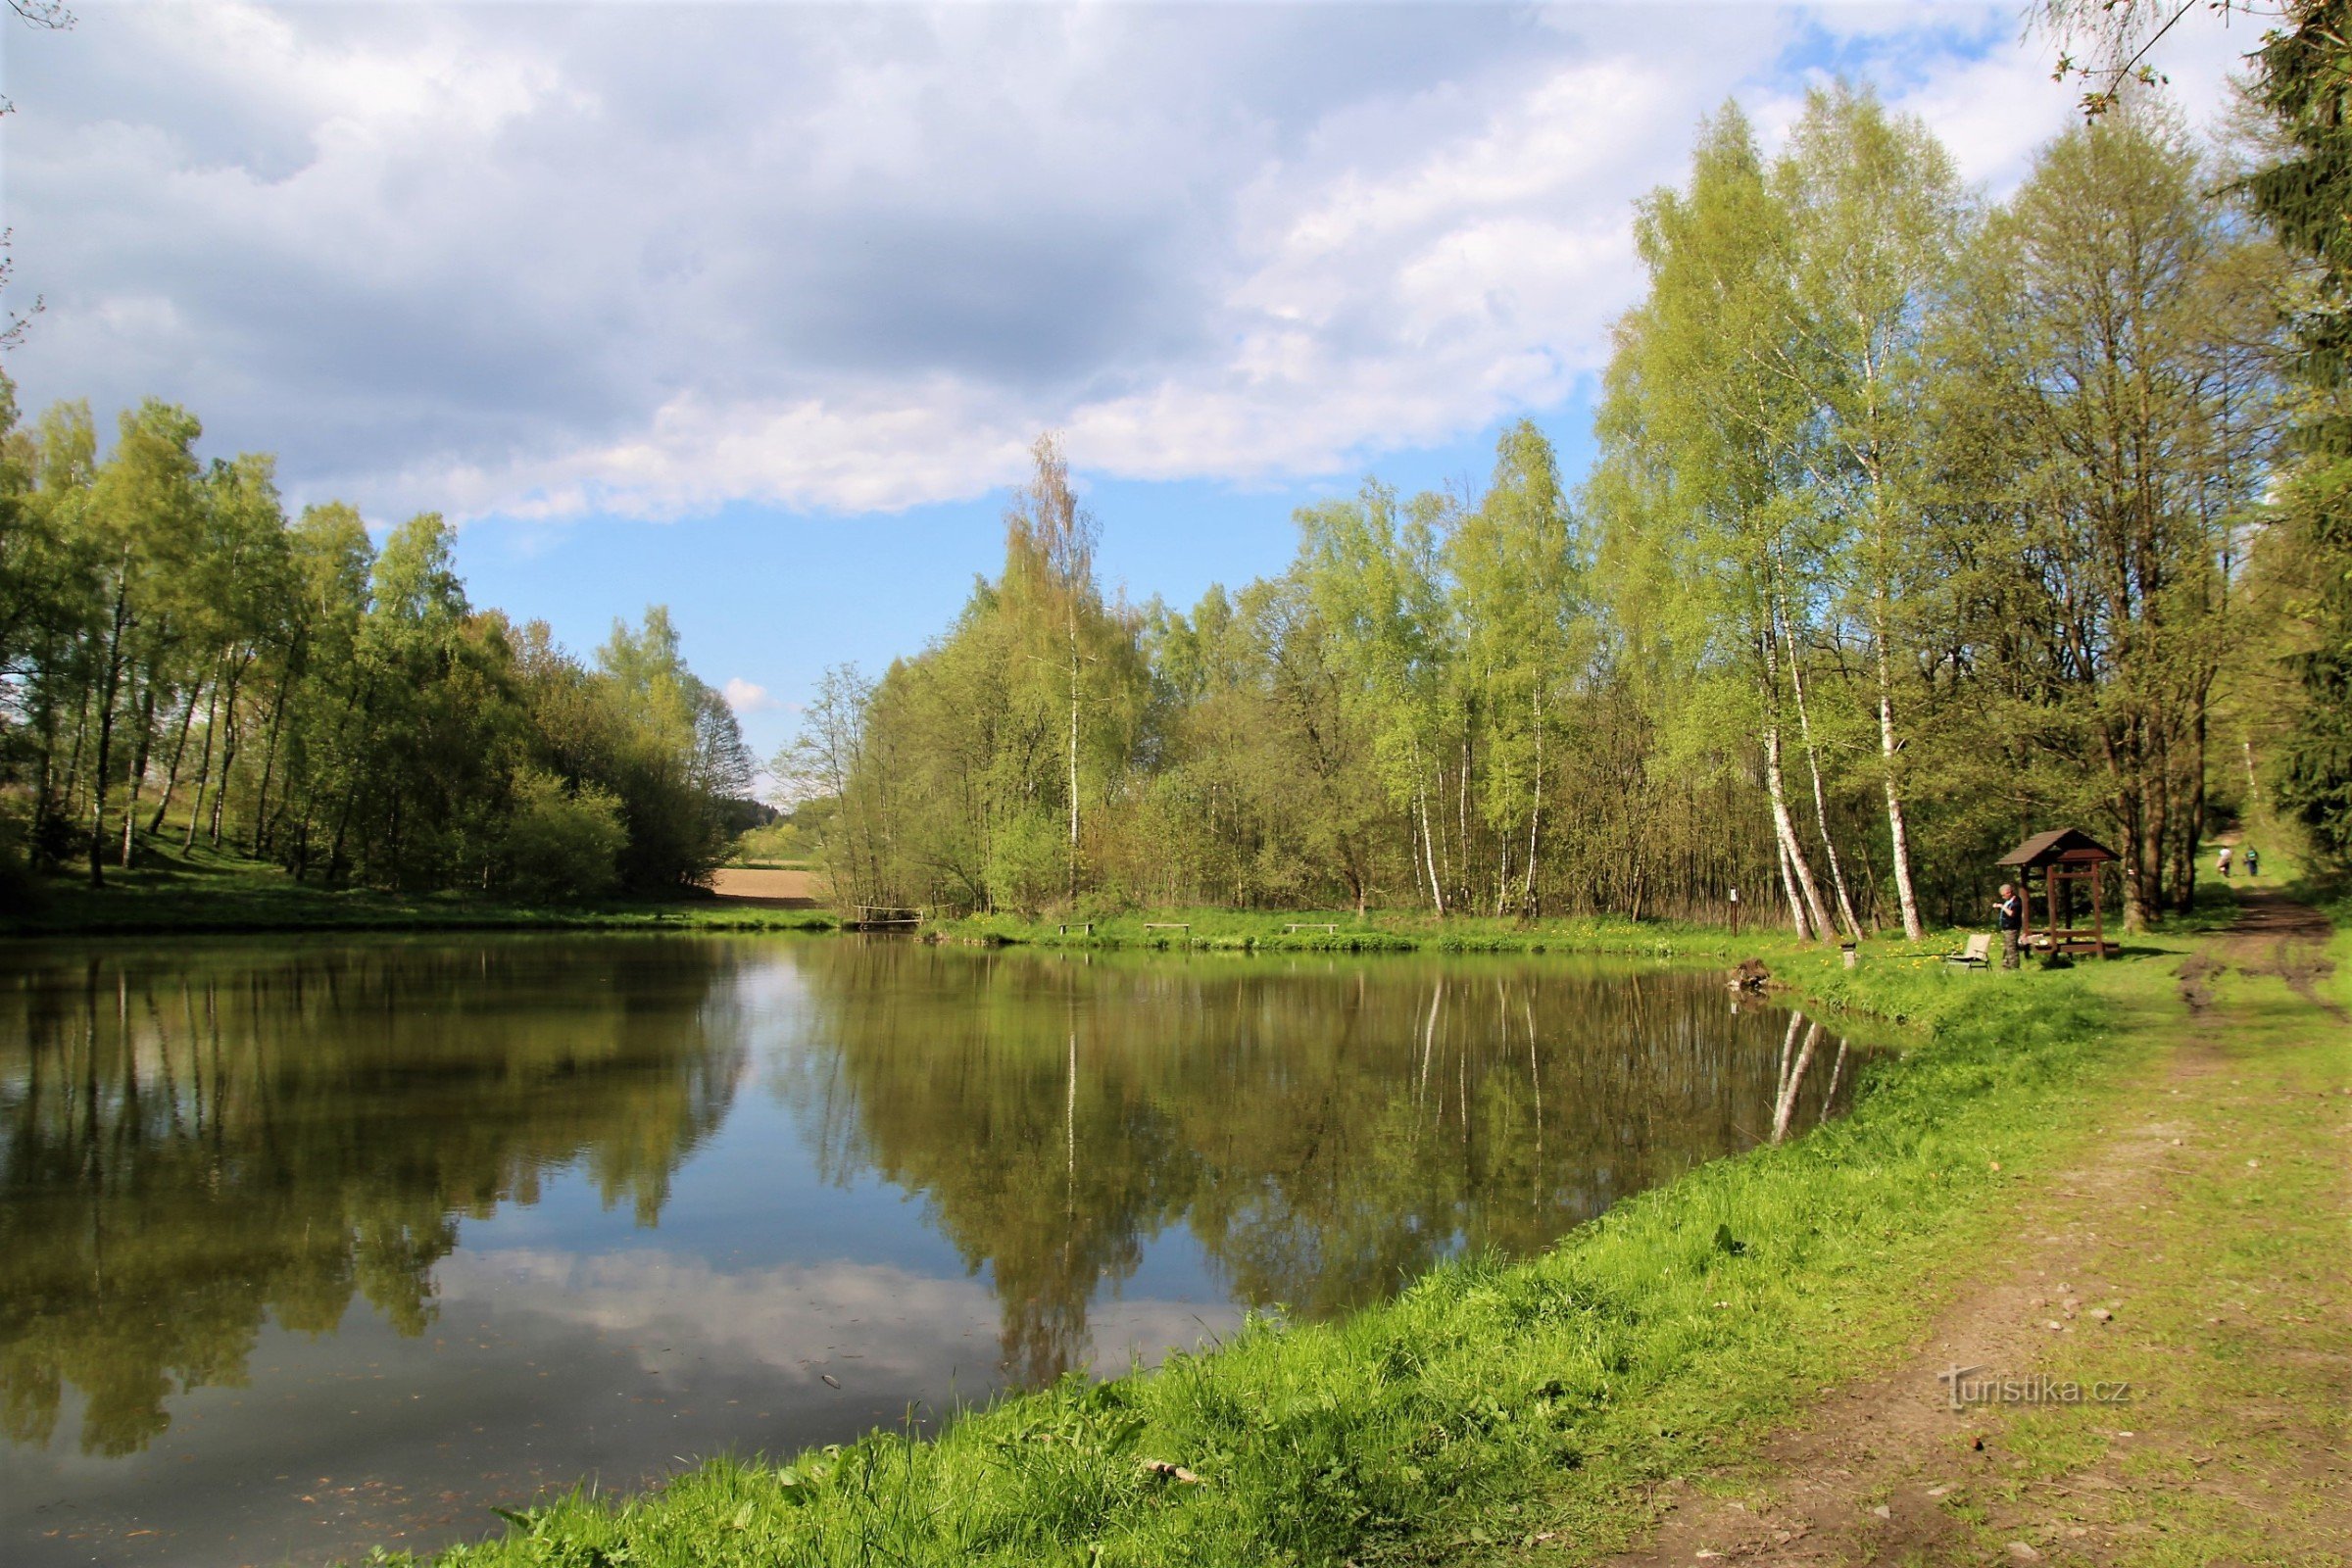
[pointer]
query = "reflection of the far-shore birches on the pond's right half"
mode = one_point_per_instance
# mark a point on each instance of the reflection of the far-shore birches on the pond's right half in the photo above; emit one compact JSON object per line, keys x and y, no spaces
{"x":1325,"y":1130}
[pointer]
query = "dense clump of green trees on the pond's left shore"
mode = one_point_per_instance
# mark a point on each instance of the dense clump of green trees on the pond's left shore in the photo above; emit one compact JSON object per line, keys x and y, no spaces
{"x":182,"y":664}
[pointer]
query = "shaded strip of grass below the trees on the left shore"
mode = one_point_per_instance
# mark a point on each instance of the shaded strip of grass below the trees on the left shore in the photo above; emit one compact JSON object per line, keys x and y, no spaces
{"x":203,"y":890}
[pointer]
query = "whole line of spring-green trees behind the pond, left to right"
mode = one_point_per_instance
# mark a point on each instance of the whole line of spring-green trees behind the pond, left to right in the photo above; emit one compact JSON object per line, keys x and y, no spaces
{"x":1918,"y":523}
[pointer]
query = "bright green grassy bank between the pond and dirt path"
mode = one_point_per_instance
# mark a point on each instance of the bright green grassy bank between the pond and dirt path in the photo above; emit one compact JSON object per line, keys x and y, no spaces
{"x":1490,"y":1405}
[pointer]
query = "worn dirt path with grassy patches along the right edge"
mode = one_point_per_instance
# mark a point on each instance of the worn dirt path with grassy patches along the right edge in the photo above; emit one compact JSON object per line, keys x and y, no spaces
{"x":2200,"y":1259}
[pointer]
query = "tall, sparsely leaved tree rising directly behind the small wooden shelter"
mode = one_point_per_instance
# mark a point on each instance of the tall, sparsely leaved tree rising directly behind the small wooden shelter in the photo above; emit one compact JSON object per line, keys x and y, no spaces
{"x":2118,"y":335}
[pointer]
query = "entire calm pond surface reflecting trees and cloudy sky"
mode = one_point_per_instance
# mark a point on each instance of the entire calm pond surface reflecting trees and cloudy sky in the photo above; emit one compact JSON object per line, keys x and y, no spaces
{"x":321,"y":1245}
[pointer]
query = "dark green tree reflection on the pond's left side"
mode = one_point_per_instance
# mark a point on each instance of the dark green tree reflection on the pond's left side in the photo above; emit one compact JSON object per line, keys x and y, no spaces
{"x":194,"y":1141}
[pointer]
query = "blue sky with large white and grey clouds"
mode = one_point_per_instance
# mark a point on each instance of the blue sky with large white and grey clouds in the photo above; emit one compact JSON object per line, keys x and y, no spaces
{"x":754,"y":309}
